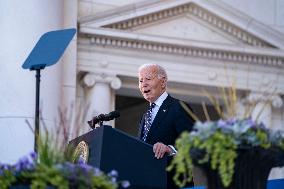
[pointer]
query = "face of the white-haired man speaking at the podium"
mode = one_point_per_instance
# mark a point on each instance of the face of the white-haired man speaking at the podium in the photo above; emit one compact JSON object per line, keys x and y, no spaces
{"x":150,"y":85}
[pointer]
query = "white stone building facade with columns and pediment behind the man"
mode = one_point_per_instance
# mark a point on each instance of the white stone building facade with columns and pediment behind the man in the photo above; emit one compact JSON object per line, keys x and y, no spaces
{"x":203,"y":44}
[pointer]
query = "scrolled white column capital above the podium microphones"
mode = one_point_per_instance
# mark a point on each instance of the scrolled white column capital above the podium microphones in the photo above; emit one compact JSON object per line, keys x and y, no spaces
{"x":89,"y":80}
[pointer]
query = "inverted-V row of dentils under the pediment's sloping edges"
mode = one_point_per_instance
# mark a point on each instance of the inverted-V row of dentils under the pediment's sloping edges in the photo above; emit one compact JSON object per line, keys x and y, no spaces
{"x":198,"y":12}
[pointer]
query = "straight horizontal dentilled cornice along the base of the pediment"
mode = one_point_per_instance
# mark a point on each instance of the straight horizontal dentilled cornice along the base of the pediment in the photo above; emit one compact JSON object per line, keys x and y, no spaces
{"x":129,"y":40}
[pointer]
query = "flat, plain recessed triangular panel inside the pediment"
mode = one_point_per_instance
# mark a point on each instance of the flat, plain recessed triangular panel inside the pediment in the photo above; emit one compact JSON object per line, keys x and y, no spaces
{"x":188,"y":28}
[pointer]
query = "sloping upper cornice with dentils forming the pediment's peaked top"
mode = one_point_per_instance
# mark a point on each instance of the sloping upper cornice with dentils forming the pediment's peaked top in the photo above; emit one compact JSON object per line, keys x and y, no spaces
{"x":215,"y":13}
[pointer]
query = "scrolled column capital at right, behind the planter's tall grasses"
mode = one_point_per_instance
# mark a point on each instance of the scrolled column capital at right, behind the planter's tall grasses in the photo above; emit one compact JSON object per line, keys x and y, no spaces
{"x":275,"y":99}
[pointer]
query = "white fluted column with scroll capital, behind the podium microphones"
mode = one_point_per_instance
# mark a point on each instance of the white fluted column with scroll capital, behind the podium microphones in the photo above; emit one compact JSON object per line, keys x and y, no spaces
{"x":100,"y":94}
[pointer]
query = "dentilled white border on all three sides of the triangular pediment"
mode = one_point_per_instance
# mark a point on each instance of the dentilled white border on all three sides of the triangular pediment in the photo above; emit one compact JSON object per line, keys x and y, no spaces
{"x":115,"y":30}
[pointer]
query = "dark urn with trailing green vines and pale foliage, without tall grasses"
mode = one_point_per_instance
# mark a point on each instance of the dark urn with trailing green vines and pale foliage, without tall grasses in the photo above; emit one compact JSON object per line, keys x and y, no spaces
{"x":232,"y":153}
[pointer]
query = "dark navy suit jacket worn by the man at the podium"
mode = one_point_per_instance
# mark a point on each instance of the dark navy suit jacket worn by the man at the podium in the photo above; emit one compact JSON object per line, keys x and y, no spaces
{"x":170,"y":121}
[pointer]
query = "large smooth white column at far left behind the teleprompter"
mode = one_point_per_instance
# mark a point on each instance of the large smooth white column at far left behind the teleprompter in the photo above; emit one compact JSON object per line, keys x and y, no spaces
{"x":22,"y":24}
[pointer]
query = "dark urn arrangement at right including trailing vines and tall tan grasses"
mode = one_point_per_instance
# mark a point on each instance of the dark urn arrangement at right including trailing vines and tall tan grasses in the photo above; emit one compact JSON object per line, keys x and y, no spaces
{"x":216,"y":146}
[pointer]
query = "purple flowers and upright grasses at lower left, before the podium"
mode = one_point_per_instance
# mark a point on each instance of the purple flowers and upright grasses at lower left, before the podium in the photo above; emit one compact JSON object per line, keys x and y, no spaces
{"x":54,"y":165}
